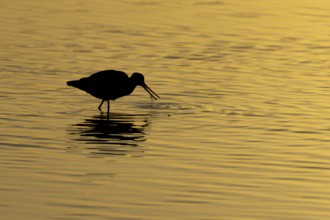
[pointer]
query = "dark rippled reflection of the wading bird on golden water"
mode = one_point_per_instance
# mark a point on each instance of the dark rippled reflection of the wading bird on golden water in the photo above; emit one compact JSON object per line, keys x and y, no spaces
{"x":118,"y":135}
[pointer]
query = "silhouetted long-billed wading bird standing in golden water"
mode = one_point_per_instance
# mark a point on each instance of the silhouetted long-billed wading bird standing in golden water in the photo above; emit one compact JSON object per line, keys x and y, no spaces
{"x":110,"y":85}
